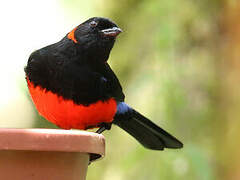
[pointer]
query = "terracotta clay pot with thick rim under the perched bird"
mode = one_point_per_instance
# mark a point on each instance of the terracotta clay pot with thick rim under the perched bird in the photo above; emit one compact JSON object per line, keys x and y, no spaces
{"x":48,"y":154}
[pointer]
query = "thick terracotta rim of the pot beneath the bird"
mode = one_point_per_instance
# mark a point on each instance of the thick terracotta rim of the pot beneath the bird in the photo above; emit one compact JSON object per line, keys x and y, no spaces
{"x":53,"y":140}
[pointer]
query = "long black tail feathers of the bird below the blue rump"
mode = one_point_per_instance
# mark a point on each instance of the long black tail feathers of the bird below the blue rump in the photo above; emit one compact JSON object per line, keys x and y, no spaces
{"x":146,"y":132}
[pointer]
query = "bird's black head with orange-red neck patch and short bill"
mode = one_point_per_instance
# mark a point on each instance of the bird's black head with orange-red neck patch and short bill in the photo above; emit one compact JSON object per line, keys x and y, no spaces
{"x":96,"y":36}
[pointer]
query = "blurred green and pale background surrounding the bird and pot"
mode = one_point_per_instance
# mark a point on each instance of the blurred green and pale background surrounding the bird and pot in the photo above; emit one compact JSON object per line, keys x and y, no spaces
{"x":178,"y":62}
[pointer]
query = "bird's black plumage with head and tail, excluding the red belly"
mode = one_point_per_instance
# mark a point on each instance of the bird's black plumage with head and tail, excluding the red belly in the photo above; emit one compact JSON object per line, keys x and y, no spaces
{"x":77,"y":70}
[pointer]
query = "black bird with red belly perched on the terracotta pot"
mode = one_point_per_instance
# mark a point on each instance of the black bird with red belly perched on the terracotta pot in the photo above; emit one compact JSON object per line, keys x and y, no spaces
{"x":73,"y":86}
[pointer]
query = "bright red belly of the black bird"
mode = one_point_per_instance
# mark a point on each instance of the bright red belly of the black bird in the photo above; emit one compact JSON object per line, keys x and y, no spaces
{"x":68,"y":115}
